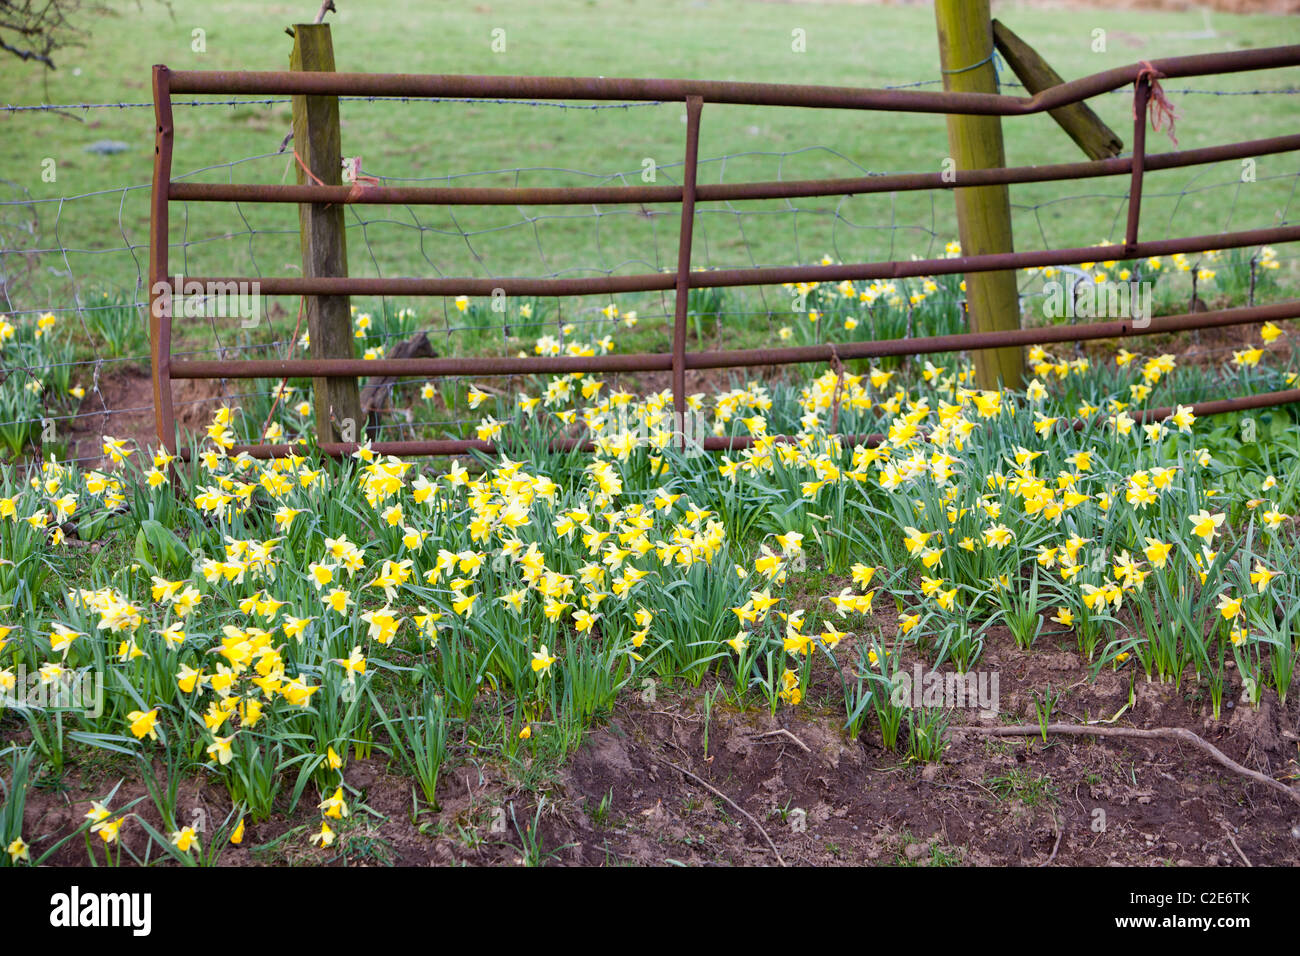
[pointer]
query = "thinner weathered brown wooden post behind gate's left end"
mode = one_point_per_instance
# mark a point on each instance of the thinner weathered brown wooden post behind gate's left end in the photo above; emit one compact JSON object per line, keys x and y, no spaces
{"x":318,"y":144}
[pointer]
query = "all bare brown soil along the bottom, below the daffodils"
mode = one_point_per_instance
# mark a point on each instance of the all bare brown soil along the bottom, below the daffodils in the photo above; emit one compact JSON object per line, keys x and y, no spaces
{"x":991,"y":802}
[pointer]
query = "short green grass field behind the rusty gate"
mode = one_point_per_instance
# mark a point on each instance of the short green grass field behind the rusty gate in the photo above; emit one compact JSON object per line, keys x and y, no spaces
{"x":506,"y":144}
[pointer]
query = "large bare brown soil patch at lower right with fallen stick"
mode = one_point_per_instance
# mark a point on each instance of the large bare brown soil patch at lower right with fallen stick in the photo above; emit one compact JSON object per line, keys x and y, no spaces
{"x":991,"y":802}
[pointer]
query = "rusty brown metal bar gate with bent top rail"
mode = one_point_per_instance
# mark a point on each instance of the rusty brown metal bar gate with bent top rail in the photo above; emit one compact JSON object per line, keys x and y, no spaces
{"x":695,"y":96}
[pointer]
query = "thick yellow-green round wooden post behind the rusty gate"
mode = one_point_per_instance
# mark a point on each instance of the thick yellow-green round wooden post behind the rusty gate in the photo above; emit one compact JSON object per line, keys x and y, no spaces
{"x":983,"y":213}
